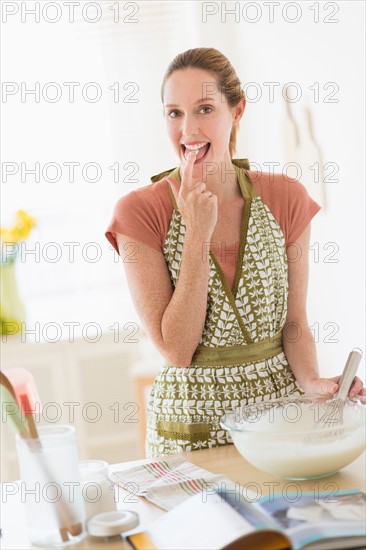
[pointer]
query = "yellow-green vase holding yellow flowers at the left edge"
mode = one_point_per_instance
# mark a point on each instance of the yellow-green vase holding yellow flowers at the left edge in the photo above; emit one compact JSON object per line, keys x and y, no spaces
{"x":12,"y":310}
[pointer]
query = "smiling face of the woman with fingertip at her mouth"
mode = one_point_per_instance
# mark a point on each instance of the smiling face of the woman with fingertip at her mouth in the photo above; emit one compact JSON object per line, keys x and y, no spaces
{"x":196,"y":114}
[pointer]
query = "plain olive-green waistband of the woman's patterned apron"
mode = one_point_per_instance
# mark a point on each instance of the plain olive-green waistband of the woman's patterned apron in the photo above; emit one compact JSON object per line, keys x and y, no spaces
{"x":231,"y":355}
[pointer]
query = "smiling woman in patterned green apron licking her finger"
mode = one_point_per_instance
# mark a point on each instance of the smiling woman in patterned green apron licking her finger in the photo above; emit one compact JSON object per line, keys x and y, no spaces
{"x":207,"y":255}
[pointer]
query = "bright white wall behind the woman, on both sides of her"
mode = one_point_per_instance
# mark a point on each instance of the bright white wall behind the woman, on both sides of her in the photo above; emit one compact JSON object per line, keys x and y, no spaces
{"x":106,"y":132}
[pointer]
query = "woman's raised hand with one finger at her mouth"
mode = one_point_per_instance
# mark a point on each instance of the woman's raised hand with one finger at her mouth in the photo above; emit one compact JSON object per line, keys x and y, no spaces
{"x":197,"y":206}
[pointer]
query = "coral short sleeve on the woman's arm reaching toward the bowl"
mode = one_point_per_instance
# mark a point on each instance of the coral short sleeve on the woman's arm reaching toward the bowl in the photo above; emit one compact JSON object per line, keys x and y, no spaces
{"x":301,"y":209}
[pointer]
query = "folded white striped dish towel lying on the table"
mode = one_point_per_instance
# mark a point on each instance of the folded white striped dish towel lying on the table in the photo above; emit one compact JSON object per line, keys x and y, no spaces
{"x":167,"y":483}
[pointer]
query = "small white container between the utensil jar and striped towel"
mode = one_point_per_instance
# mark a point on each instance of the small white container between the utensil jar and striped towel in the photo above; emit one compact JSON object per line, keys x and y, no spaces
{"x":97,"y":490}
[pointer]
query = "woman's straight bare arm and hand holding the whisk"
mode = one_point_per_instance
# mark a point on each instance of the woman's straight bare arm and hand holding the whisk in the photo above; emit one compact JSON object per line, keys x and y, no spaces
{"x":298,"y":341}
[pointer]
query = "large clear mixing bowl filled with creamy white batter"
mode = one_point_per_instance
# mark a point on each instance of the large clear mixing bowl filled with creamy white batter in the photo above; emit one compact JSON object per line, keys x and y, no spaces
{"x":286,"y":436}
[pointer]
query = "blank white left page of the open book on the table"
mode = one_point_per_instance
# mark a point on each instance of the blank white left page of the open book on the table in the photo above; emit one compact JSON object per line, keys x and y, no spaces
{"x":202,"y":522}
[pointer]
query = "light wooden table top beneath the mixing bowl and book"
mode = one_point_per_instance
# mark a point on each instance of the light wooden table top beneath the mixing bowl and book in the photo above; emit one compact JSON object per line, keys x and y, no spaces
{"x":225,"y":460}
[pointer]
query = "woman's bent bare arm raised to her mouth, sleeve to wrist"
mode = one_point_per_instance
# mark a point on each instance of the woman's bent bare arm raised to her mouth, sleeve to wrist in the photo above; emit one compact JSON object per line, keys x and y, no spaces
{"x":173,"y":318}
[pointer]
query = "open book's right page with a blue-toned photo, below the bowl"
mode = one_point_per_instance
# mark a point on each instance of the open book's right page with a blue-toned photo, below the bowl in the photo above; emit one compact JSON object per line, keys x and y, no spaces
{"x":308,"y":518}
